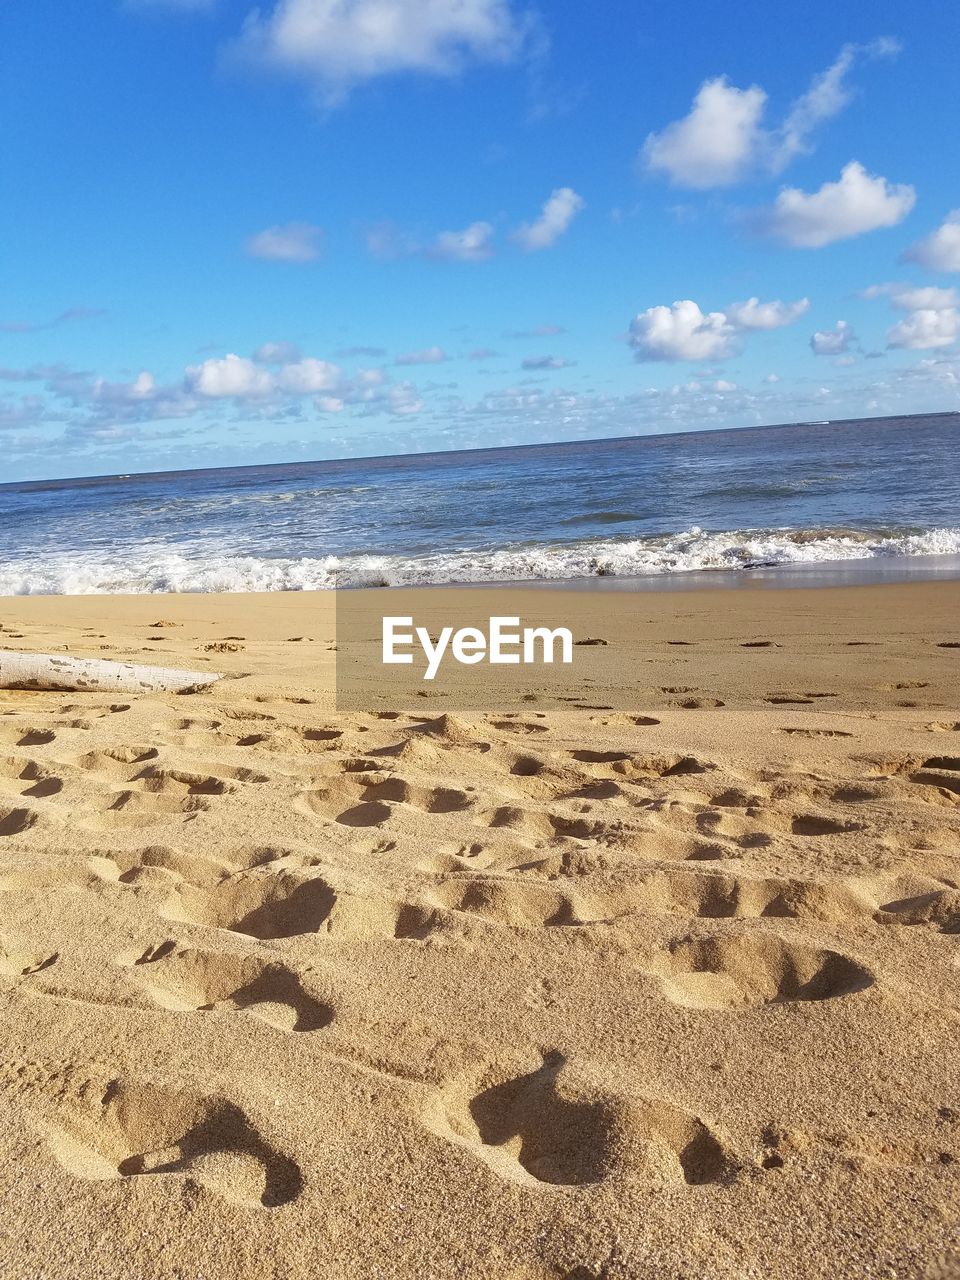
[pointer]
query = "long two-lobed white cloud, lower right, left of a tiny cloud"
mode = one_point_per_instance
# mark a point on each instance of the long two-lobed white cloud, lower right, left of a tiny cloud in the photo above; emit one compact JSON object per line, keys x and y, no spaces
{"x":684,"y":332}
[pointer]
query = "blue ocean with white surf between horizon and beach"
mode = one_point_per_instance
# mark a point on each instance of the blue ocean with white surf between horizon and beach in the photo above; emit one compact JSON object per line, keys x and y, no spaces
{"x":883,"y":491}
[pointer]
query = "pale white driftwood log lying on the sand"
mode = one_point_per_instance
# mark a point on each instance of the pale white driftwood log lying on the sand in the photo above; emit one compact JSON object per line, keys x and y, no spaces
{"x":58,"y":671}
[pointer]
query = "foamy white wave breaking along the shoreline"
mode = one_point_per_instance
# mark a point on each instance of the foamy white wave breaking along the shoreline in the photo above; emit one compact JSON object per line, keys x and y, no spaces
{"x":152,"y":572}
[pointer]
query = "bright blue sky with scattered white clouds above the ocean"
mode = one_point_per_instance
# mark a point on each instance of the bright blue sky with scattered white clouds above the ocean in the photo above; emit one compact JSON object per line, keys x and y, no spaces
{"x":331,"y":228}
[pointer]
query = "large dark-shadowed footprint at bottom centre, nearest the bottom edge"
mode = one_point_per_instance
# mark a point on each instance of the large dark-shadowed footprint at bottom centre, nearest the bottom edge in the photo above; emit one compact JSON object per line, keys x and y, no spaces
{"x":546,"y":1128}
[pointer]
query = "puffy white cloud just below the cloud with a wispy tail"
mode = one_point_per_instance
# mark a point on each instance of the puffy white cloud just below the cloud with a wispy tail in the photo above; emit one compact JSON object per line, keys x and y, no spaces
{"x":854,"y":205}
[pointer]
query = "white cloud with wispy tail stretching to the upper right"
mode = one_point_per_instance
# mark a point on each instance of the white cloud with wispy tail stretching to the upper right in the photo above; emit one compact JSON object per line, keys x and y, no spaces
{"x":724,"y":140}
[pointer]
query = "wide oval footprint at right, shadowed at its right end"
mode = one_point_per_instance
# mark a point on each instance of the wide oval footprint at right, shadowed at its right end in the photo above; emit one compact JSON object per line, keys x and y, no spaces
{"x":746,"y":971}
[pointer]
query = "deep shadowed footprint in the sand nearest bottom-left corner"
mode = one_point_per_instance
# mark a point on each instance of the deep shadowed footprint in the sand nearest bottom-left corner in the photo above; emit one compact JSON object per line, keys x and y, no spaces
{"x":144,"y":1131}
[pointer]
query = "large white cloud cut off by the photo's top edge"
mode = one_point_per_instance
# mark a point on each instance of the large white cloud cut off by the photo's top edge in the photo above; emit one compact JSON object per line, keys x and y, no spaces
{"x":339,"y":44}
